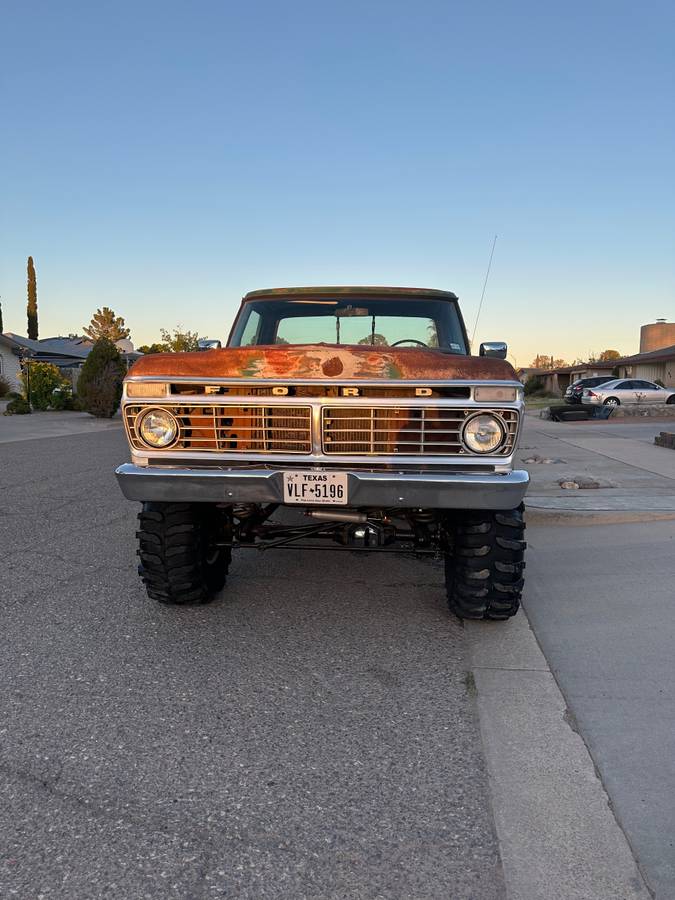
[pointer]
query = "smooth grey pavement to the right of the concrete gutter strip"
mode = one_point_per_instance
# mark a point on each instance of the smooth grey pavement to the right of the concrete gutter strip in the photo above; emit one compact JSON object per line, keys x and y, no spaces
{"x":601,"y":601}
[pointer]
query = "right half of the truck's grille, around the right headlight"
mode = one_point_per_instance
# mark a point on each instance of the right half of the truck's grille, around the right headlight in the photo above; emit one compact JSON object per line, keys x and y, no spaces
{"x":403,"y":430}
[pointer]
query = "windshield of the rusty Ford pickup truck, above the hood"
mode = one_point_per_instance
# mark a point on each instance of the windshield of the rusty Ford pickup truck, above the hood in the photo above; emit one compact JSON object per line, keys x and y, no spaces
{"x":381,"y":322}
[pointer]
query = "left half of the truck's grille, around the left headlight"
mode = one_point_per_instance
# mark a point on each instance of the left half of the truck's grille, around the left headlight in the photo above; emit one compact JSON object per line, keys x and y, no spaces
{"x":229,"y":428}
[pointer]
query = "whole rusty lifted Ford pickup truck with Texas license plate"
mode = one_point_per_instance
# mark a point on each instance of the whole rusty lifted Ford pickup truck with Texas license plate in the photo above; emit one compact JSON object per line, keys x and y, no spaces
{"x":359,"y":408}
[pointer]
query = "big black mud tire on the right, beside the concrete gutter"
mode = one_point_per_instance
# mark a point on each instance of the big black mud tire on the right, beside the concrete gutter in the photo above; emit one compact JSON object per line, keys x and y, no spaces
{"x":484,"y":563}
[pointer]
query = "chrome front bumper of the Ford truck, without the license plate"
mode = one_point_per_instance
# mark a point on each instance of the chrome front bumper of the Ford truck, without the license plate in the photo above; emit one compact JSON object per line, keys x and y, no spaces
{"x":429,"y":490}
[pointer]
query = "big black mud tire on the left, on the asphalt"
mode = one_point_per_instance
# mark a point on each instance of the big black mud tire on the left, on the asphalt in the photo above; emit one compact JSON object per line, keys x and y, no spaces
{"x":179,"y":562}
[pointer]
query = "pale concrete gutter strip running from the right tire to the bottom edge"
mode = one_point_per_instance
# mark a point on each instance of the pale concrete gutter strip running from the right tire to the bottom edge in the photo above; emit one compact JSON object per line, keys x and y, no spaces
{"x":558,"y":836}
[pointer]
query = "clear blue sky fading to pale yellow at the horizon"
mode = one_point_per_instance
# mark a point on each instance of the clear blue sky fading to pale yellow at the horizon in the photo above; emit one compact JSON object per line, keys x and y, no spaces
{"x":164,"y":158}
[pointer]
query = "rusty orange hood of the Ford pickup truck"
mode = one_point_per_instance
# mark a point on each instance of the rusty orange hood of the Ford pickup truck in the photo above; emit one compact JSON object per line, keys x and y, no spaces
{"x":290,"y":361}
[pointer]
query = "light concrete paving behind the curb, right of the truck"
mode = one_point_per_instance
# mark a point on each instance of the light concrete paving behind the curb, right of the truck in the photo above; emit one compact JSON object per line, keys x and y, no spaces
{"x":632,"y":474}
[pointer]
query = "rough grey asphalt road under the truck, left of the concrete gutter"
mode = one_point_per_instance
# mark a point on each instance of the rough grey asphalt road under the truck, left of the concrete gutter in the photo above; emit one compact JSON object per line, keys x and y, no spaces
{"x":311,"y":734}
